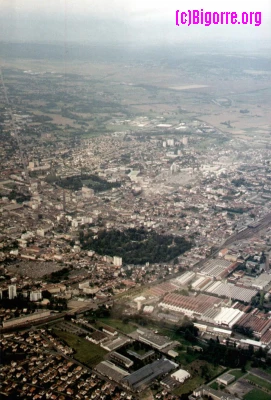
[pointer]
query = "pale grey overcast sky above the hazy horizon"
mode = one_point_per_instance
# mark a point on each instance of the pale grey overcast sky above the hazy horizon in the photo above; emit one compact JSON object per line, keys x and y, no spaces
{"x":120,"y":21}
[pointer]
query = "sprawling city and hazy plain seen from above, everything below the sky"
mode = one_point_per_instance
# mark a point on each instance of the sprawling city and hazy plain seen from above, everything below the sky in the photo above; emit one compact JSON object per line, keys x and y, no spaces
{"x":135,"y":221}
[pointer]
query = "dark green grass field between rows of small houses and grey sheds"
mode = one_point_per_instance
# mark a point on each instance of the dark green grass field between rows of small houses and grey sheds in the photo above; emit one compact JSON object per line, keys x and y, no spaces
{"x":86,"y":352}
